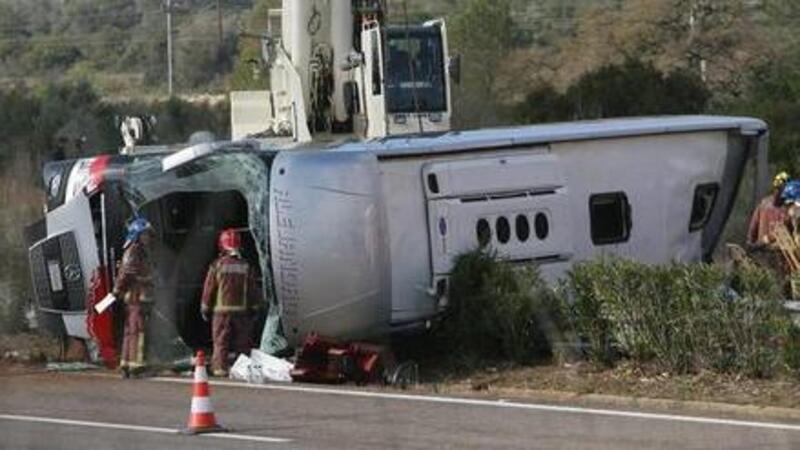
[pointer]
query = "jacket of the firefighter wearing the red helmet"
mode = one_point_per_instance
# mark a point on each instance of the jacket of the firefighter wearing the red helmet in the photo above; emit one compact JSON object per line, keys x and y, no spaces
{"x":230,"y":286}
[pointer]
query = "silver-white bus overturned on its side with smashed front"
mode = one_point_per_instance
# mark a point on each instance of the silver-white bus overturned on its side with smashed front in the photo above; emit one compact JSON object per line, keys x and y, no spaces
{"x":357,"y":239}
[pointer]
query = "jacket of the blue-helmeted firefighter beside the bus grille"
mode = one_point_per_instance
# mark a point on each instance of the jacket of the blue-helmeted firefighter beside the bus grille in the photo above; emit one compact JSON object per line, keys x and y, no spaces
{"x":135,"y":276}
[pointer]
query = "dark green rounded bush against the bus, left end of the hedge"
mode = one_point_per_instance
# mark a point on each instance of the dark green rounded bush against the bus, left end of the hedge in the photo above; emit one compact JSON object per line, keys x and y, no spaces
{"x":498,"y":310}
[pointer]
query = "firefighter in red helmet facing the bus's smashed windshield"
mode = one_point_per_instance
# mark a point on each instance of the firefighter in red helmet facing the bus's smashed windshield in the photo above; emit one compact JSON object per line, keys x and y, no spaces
{"x":230,"y":294}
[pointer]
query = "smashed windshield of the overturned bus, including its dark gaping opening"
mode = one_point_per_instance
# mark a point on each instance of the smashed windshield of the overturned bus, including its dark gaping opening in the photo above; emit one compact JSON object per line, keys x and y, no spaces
{"x":190,"y":204}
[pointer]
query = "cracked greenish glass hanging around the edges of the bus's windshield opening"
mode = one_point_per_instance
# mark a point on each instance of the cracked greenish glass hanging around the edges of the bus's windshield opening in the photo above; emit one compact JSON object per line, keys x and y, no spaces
{"x":144,"y":183}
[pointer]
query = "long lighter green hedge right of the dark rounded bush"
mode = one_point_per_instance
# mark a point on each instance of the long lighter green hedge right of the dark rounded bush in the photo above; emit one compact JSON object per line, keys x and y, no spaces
{"x":683,"y":318}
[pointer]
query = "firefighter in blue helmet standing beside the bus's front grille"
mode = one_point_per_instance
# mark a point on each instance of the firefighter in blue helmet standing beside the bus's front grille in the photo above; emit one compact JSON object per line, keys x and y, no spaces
{"x":134,"y":284}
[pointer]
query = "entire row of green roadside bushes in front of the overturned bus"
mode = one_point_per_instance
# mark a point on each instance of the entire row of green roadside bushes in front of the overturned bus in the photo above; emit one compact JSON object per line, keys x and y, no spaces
{"x":679,"y":318}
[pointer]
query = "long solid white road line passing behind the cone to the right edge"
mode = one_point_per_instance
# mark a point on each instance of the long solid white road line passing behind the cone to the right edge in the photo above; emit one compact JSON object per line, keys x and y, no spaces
{"x":501,"y":404}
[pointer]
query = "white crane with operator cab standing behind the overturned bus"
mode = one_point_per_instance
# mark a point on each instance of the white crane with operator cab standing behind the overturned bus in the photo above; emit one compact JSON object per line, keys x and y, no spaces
{"x":337,"y":66}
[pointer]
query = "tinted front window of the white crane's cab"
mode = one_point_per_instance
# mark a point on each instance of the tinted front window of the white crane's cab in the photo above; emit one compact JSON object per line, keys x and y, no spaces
{"x":415,"y":75}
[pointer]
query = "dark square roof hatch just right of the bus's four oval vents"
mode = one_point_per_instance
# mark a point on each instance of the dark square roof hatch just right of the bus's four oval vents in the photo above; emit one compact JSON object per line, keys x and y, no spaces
{"x":610,"y":216}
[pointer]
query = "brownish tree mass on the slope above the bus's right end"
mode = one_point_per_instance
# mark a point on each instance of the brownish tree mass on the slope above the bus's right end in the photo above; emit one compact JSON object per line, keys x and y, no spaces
{"x":717,"y":39}
